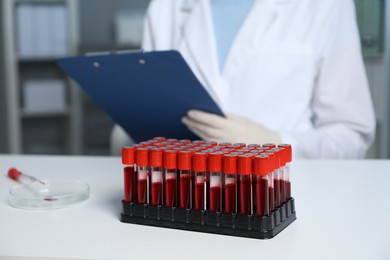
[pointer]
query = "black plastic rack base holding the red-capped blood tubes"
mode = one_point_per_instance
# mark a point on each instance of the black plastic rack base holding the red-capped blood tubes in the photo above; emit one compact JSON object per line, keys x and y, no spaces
{"x":249,"y":226}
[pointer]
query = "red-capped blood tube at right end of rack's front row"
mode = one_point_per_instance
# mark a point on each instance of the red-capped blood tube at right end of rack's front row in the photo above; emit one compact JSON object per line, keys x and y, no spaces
{"x":262,"y":188}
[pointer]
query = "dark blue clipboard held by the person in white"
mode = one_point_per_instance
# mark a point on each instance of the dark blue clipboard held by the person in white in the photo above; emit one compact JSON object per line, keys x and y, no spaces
{"x":147,"y":93}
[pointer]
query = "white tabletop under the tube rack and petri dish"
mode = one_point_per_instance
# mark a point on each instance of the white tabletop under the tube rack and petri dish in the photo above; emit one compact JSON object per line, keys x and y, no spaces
{"x":343,"y":210}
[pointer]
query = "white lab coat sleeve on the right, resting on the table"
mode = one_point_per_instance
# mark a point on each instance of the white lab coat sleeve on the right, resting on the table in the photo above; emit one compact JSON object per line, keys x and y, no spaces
{"x":344,"y":121}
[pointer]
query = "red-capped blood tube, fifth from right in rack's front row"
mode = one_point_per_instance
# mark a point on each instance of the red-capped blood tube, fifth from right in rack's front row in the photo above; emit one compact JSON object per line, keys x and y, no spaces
{"x":199,"y":164}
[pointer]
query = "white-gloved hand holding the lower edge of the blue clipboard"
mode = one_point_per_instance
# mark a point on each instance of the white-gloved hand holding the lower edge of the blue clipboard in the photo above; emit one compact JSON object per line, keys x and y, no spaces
{"x":233,"y":128}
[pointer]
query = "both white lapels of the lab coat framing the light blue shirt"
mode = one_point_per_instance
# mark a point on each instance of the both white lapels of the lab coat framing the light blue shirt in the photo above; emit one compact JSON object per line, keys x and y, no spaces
{"x":198,"y":33}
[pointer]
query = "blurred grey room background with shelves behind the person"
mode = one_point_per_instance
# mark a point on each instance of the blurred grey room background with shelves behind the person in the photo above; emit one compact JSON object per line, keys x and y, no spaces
{"x":43,"y":112}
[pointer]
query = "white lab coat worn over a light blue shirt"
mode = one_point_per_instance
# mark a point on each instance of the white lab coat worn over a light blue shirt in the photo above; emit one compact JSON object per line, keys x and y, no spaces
{"x":295,"y":67}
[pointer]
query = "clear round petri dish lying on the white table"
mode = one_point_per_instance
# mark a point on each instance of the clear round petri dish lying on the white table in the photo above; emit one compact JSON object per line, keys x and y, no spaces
{"x":50,"y":195}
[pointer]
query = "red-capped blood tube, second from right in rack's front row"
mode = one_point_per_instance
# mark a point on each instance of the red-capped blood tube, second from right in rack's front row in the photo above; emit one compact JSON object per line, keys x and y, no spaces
{"x":246,"y":189}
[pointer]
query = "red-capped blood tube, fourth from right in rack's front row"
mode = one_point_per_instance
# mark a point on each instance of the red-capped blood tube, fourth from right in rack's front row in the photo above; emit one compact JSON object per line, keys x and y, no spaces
{"x":214,"y":165}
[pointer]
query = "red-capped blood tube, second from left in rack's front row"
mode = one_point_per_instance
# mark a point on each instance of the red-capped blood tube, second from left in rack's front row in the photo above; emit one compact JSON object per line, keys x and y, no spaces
{"x":142,"y":162}
